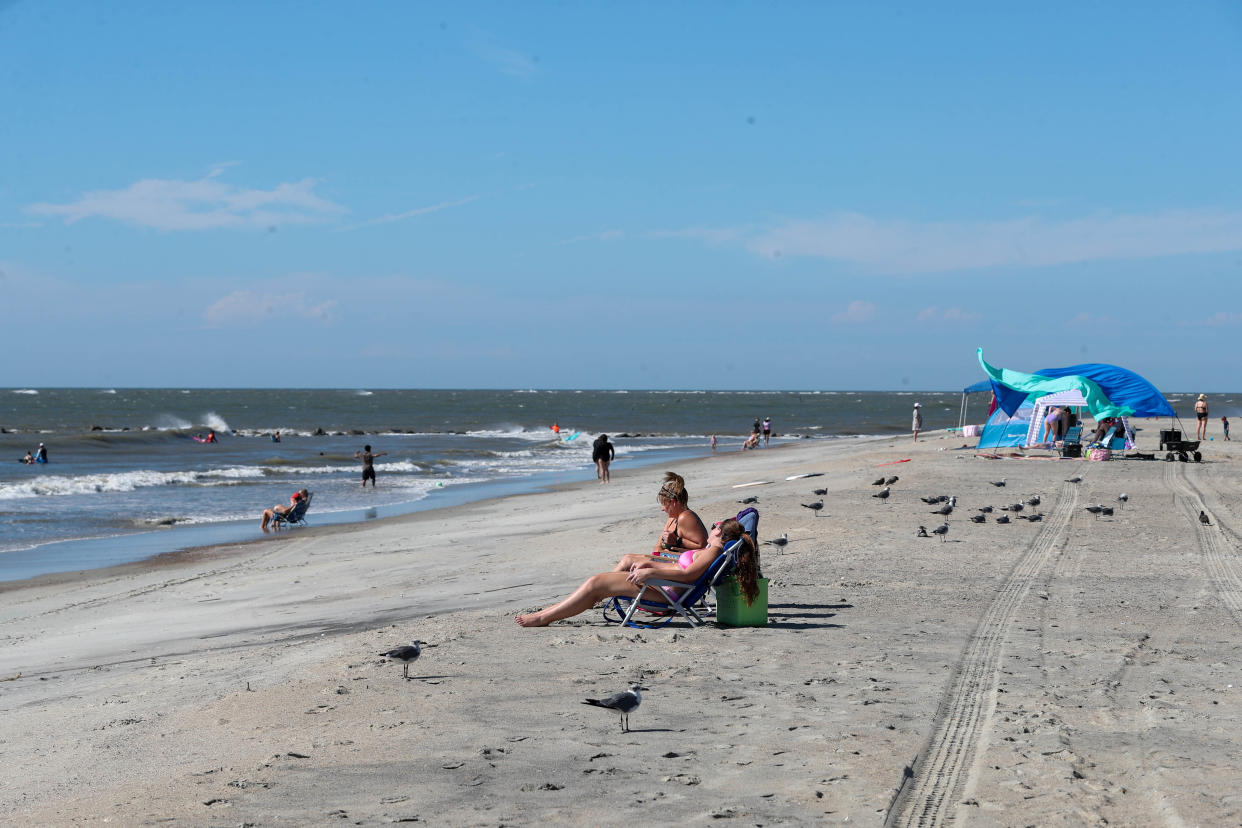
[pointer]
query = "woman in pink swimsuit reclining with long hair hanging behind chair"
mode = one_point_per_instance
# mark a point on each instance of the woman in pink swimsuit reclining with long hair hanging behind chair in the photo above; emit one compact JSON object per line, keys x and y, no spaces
{"x":687,"y":569}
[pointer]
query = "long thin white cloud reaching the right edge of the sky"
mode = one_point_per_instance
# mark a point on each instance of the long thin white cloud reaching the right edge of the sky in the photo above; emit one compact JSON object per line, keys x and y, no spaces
{"x":913,"y":248}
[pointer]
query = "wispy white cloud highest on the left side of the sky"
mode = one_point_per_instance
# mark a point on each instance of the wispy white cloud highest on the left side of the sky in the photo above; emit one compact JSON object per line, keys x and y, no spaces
{"x":206,"y":204}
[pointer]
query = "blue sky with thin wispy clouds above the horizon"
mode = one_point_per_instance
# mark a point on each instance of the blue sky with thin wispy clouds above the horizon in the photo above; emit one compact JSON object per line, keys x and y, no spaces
{"x":752,"y":196}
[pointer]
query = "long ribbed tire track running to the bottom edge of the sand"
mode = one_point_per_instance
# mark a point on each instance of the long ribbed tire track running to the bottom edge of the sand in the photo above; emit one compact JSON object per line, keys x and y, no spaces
{"x":935,"y":785}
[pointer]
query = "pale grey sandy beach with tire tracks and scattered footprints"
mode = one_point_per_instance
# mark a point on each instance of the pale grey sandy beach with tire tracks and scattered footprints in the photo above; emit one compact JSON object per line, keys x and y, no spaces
{"x":1065,"y":672}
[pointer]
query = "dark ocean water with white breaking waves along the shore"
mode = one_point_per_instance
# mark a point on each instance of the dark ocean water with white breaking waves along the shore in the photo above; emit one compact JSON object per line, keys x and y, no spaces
{"x":126,"y":479}
